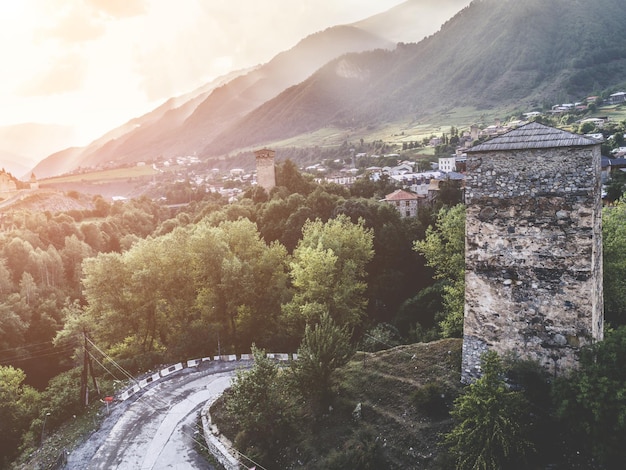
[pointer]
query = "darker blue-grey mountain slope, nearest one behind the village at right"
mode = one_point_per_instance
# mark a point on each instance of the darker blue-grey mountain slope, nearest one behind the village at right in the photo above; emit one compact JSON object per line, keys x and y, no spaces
{"x":493,"y":52}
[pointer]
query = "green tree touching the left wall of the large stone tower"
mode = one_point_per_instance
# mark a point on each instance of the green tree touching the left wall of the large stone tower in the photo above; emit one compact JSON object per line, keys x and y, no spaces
{"x":444,"y":250}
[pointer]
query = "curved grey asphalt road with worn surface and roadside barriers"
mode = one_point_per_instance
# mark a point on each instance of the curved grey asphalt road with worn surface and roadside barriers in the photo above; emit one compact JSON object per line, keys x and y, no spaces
{"x":156,"y":430}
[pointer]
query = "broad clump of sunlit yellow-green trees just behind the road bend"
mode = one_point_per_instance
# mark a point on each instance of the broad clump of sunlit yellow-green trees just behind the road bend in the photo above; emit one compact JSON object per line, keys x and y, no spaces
{"x":195,"y":290}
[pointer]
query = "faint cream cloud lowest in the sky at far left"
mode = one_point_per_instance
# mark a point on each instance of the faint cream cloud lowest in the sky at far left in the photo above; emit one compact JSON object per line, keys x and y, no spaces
{"x":66,"y":74}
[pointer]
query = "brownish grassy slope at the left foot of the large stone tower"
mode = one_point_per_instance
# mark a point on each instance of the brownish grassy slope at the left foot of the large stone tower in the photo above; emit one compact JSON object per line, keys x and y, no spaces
{"x":400,"y":419}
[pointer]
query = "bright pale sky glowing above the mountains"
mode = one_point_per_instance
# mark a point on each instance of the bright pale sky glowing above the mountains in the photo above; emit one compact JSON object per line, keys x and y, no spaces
{"x":95,"y":64}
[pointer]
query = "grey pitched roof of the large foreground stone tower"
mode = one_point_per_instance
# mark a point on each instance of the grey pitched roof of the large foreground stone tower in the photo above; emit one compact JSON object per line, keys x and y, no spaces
{"x":533,"y":136}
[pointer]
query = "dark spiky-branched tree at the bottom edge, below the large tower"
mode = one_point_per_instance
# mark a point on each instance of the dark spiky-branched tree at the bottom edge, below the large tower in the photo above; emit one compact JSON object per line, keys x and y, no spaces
{"x":491,"y":429}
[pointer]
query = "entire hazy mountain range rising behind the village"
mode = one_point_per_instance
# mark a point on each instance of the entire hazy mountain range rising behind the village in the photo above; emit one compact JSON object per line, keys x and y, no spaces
{"x":520,"y":53}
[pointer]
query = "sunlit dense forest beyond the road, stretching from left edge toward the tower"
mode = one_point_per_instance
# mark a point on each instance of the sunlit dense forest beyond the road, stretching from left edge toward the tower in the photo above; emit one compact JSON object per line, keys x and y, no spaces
{"x":152,"y":286}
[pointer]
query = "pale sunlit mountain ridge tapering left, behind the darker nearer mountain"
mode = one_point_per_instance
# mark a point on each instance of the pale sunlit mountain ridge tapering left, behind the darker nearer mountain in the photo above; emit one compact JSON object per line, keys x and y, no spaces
{"x":186,"y":125}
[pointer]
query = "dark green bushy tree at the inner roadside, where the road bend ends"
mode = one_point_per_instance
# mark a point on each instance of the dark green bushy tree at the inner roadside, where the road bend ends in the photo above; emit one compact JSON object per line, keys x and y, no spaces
{"x":324,"y":348}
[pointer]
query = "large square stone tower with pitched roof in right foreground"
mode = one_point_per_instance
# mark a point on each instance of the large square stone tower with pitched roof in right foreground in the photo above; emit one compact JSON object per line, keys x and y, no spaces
{"x":533,"y":279}
